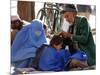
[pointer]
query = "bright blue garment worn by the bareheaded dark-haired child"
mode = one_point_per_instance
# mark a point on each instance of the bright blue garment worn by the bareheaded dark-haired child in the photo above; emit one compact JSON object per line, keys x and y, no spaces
{"x":52,"y":60}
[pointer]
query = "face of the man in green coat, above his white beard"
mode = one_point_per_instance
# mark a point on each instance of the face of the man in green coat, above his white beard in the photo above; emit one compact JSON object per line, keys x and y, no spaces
{"x":69,"y":16}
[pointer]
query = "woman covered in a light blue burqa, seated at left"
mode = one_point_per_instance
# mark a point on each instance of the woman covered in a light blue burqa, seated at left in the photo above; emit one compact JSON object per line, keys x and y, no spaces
{"x":28,"y":39}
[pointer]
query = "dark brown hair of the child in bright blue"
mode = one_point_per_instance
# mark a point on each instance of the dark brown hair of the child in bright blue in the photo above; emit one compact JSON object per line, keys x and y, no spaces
{"x":56,"y":40}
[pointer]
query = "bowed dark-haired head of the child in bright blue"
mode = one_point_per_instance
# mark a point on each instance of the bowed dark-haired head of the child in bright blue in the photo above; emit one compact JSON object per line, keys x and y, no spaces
{"x":56,"y":42}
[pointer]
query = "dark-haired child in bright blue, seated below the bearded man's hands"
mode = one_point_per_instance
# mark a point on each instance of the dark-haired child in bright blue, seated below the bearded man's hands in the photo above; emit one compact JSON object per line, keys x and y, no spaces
{"x":51,"y":58}
